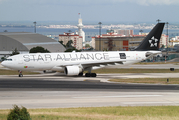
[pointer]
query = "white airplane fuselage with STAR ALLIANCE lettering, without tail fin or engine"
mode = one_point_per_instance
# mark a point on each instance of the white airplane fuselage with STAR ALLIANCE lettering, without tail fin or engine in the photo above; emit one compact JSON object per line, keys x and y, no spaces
{"x":57,"y":61}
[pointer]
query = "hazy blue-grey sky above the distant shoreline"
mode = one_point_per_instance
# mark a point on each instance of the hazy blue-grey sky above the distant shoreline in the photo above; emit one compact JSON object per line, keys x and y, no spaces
{"x":105,"y":11}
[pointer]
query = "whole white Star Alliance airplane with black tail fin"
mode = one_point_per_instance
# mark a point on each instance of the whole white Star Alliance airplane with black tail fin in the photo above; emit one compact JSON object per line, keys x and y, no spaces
{"x":75,"y":63}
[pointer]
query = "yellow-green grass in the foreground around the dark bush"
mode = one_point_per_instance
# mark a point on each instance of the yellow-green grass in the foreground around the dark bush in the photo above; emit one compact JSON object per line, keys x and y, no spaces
{"x":104,"y":113}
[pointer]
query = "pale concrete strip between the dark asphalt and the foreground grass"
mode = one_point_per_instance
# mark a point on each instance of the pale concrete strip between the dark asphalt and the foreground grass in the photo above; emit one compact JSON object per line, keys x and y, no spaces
{"x":69,"y":99}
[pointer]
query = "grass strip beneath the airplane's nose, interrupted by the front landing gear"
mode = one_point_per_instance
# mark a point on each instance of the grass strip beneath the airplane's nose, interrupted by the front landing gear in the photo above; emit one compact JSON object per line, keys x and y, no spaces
{"x":13,"y":72}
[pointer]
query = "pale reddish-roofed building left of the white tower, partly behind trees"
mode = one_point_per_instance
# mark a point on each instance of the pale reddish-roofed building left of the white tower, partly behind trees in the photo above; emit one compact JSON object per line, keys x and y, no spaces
{"x":77,"y":40}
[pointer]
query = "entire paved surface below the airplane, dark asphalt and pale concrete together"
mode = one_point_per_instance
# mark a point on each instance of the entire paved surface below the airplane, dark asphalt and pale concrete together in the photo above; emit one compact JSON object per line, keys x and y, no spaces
{"x":54,"y":91}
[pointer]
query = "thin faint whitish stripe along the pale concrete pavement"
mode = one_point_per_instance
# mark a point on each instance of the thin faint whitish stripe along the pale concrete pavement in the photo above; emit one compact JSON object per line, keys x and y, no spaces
{"x":126,"y":96}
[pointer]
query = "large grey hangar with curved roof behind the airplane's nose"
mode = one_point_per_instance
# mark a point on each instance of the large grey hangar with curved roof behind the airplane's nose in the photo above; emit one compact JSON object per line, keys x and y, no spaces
{"x":24,"y":41}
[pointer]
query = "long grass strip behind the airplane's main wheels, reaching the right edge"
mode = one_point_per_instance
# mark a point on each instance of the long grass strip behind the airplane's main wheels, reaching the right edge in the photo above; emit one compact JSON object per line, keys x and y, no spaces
{"x":116,"y":70}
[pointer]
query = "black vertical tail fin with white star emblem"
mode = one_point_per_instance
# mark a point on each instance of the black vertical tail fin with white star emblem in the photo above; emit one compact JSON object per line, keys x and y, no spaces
{"x":152,"y":40}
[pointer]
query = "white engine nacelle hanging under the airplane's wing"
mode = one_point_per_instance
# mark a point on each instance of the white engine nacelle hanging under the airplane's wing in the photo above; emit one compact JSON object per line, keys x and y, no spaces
{"x":73,"y":70}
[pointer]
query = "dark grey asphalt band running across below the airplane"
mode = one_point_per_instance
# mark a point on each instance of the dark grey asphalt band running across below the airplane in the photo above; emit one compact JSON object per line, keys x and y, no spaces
{"x":48,"y":85}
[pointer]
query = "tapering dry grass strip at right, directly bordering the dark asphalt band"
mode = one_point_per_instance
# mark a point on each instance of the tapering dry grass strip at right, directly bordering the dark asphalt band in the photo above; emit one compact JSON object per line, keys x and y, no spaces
{"x":148,"y":80}
